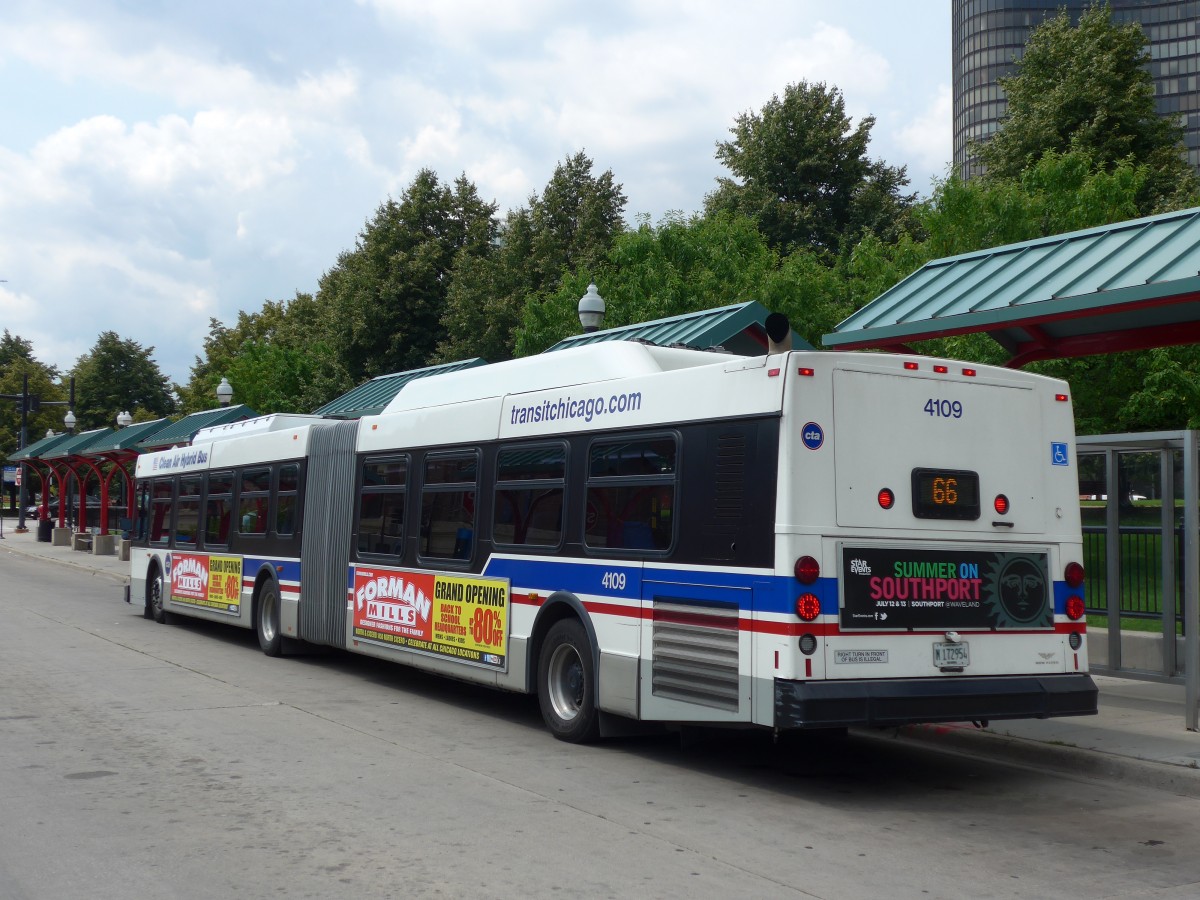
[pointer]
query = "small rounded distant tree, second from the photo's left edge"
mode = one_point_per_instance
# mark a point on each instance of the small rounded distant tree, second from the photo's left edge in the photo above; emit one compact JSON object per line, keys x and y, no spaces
{"x":118,"y":375}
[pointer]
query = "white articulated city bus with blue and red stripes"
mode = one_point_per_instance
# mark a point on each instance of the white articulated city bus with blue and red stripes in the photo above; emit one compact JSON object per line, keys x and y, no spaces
{"x":796,"y":541}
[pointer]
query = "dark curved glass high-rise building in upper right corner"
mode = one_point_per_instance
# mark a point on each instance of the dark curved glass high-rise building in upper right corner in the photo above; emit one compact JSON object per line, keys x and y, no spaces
{"x":991,"y":34}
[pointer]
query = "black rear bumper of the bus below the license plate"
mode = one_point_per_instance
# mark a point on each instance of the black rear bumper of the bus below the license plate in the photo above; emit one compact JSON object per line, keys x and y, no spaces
{"x":824,"y":705}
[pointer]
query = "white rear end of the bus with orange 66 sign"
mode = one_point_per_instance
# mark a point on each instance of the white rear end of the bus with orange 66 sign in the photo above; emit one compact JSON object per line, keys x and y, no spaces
{"x":929,"y":513}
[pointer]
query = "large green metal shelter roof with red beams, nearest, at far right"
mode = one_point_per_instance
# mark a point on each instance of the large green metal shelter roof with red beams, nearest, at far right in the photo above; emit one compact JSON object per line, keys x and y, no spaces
{"x":1121,"y":287}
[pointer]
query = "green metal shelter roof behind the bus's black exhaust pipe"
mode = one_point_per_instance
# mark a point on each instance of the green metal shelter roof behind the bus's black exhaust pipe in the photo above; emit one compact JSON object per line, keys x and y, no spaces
{"x":737,"y":328}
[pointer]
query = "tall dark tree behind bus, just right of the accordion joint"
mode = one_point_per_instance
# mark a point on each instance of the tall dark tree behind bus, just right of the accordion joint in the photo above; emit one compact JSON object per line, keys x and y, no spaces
{"x":383,"y":302}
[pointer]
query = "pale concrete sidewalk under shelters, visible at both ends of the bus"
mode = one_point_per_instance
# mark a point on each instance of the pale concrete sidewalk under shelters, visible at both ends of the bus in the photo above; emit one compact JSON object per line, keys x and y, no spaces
{"x":1138,"y":737}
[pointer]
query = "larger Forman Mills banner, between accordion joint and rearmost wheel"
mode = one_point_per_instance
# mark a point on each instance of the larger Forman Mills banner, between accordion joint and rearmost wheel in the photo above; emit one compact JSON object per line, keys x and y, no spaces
{"x":461,"y":617}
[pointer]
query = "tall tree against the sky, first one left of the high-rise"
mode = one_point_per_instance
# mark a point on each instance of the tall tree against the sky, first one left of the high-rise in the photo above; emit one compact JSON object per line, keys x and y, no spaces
{"x":805,"y":177}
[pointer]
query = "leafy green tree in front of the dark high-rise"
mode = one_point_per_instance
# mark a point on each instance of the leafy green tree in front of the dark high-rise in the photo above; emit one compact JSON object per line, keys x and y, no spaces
{"x":1089,"y":89}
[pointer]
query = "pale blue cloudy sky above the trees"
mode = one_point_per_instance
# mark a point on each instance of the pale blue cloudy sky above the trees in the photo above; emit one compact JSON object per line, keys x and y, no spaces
{"x":164,"y":164}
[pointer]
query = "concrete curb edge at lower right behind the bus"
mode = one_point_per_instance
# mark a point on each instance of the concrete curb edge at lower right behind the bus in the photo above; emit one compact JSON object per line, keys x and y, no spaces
{"x":1096,"y":765}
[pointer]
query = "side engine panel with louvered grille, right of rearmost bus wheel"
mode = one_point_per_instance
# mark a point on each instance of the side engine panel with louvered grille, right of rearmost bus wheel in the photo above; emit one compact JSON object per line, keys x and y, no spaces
{"x":695,"y":653}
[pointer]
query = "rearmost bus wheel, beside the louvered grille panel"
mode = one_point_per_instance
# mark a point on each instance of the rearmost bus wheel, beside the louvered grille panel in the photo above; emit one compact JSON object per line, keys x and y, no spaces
{"x":567,"y":685}
